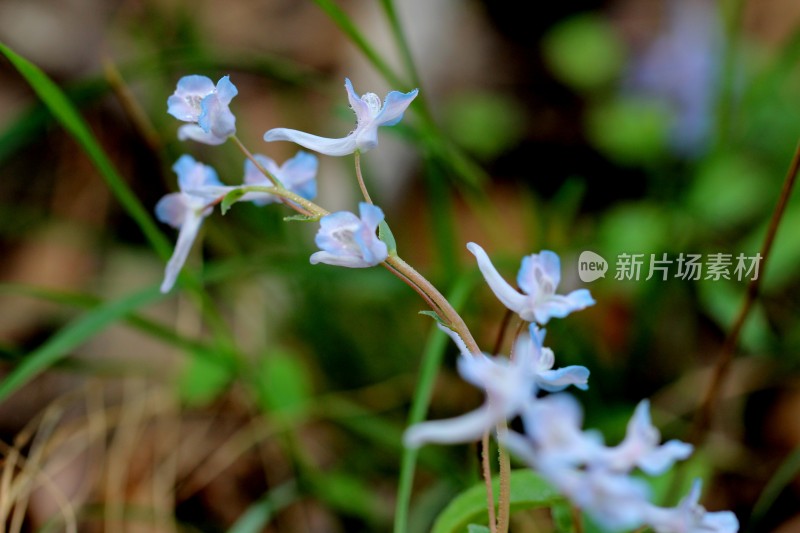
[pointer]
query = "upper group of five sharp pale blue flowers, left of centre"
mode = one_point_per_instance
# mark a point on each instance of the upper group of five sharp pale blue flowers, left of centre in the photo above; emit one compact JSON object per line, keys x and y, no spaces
{"x":344,"y":239}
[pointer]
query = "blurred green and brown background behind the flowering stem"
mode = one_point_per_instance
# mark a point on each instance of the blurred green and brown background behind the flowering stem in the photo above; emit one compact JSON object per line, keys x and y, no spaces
{"x":269,"y":394}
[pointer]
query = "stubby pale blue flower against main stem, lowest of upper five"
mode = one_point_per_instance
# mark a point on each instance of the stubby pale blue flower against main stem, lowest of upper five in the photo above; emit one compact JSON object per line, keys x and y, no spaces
{"x":347,"y":240}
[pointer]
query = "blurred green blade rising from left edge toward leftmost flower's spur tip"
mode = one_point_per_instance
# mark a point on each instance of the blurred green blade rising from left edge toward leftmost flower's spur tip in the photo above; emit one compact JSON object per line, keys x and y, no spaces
{"x":59,"y":345}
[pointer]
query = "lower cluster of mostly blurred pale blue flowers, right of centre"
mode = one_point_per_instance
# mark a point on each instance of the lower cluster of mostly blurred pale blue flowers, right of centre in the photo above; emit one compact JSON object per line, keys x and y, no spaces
{"x":595,"y":477}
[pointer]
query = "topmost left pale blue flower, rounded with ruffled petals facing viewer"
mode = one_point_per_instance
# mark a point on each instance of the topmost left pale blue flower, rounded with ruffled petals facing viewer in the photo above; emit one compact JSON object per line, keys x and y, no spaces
{"x":198,"y":101}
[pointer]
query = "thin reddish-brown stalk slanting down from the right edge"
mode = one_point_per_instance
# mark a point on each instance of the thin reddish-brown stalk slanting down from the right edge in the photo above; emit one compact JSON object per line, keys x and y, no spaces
{"x":723,"y":364}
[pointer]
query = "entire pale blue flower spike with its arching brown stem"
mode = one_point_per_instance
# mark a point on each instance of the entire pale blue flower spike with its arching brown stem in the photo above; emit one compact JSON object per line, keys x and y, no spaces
{"x":599,"y":479}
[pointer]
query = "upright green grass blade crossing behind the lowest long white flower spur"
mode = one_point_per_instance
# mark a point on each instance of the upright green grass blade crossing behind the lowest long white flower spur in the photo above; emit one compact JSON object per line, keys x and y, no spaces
{"x":431,"y":361}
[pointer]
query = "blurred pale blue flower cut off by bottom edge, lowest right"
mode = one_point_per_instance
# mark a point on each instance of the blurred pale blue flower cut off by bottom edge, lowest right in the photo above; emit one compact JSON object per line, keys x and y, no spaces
{"x":691,"y":517}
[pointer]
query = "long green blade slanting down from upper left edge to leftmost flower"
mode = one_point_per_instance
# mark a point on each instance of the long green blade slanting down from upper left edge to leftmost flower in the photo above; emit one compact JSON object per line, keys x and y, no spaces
{"x":66,"y":114}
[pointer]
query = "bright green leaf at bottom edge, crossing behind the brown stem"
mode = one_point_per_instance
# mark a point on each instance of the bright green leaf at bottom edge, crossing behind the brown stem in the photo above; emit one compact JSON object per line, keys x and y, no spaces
{"x":528,"y":491}
